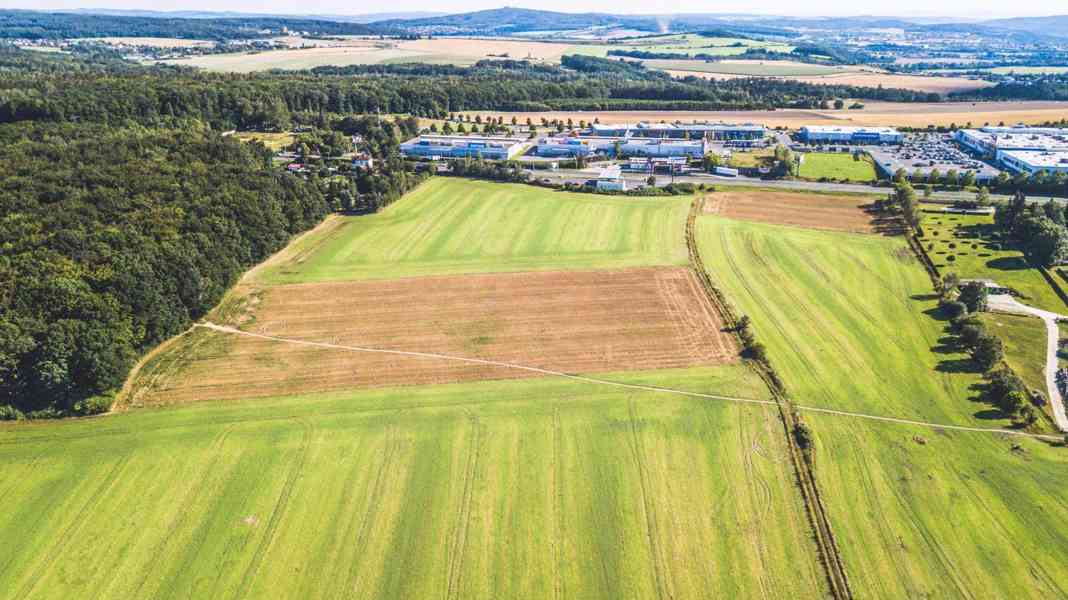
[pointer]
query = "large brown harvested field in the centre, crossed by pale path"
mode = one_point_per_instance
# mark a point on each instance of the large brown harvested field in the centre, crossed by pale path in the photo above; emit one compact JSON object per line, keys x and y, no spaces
{"x":572,"y":322}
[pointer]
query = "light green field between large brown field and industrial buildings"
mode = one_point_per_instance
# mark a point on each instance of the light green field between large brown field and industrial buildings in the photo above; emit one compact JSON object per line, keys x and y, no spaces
{"x":453,"y":226}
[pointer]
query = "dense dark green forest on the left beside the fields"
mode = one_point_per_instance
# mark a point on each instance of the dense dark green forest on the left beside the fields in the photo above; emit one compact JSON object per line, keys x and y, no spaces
{"x":116,"y":240}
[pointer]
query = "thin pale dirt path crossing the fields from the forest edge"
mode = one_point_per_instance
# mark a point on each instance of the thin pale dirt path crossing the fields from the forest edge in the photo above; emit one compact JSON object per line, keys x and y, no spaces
{"x":646,"y":388}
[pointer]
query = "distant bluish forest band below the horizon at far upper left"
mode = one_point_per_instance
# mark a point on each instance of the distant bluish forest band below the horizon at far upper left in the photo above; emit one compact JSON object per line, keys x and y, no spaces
{"x":34,"y":25}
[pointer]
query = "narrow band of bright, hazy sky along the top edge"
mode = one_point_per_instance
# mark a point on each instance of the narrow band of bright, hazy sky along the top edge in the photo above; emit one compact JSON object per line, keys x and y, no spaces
{"x":964,"y":9}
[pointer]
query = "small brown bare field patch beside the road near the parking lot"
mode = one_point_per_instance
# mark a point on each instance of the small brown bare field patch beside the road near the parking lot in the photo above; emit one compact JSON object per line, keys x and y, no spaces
{"x":819,"y":212}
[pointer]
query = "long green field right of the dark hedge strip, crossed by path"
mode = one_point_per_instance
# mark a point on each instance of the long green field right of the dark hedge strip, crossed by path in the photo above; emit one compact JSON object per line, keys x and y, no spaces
{"x":919,"y":513}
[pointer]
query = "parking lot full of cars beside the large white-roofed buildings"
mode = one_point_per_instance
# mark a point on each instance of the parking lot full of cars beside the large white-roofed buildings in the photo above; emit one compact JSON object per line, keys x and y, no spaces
{"x":924,"y":153}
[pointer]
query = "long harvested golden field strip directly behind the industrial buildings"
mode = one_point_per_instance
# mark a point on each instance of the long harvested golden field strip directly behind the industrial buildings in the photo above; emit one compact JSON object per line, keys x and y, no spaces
{"x":902,"y":115}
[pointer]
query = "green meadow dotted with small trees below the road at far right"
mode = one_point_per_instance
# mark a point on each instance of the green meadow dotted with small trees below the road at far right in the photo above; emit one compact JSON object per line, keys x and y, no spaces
{"x":966,"y":245}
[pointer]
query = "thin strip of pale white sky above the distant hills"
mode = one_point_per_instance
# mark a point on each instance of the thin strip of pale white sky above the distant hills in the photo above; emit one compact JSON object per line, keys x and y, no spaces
{"x":905,"y":9}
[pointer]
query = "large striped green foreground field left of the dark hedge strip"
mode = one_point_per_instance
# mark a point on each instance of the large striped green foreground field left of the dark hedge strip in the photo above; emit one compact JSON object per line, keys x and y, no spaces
{"x":515,"y":490}
